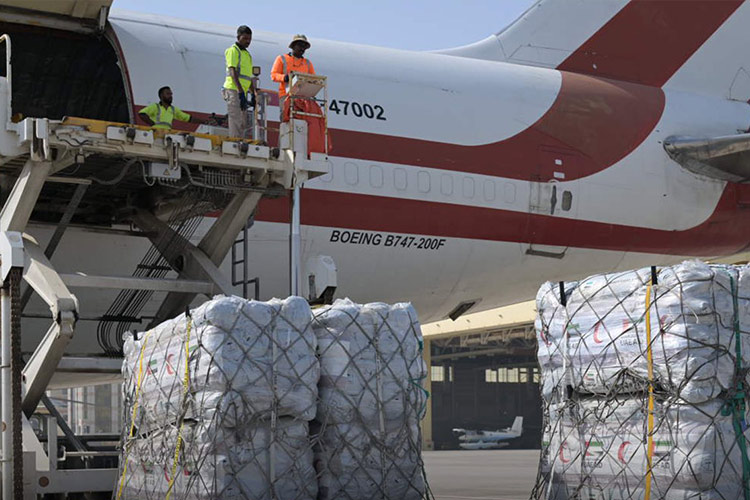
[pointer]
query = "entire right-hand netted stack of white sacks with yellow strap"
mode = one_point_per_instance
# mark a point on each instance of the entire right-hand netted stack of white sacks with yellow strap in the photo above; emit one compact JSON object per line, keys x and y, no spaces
{"x":644,"y":377}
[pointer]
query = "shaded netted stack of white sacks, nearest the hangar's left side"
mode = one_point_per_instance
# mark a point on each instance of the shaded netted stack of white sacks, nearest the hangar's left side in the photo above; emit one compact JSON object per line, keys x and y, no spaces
{"x":371,"y":400}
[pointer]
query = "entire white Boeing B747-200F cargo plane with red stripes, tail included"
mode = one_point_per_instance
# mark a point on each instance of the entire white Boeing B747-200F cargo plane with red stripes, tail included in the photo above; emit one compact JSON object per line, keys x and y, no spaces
{"x":587,"y":136}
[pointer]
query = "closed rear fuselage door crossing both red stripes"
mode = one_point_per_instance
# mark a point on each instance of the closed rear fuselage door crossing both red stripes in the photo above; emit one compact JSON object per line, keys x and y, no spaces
{"x":553,"y":203}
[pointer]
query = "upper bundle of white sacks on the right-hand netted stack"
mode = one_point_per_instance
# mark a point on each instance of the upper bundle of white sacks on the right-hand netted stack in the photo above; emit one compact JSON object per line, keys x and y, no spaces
{"x":601,"y":334}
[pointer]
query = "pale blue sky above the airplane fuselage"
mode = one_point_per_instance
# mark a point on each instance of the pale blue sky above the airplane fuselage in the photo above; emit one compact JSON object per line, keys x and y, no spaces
{"x":404,"y":24}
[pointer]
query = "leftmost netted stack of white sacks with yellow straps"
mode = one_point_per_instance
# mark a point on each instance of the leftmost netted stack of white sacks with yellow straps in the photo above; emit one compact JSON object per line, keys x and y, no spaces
{"x":235,"y":424}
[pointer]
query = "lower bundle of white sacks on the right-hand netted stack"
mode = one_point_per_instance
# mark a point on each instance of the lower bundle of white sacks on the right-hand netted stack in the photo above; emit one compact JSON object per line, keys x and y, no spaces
{"x":600,"y":446}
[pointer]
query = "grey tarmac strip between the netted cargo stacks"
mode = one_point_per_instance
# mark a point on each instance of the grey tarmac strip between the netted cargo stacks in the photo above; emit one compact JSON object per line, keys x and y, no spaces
{"x":481,"y":474}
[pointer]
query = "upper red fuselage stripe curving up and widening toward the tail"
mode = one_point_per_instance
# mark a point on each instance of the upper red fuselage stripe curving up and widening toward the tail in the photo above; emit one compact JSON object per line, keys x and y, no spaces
{"x":593,"y":124}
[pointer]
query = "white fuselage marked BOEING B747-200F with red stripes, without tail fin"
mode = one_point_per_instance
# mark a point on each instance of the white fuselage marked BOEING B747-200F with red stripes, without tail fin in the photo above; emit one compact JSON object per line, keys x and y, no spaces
{"x":460,"y":180}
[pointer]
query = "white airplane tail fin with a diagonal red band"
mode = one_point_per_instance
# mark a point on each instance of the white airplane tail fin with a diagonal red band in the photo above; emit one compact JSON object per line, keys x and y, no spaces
{"x":690,"y":45}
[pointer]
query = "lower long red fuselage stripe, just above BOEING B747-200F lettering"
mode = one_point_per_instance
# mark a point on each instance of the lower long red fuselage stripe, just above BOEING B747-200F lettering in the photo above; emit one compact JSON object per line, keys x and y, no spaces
{"x":725,"y":232}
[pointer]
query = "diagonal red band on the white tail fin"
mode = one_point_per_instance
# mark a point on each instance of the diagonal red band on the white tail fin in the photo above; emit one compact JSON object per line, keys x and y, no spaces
{"x":649,"y":40}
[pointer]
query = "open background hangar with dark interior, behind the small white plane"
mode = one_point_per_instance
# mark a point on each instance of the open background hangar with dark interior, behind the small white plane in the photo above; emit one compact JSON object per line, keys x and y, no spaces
{"x":483,"y":373}
